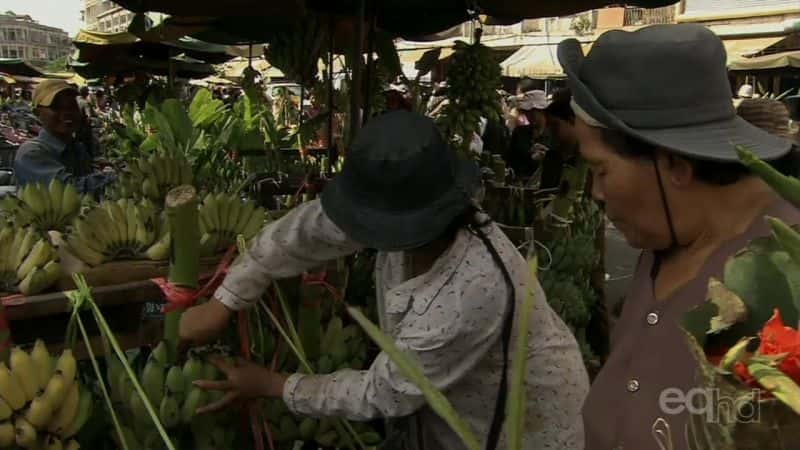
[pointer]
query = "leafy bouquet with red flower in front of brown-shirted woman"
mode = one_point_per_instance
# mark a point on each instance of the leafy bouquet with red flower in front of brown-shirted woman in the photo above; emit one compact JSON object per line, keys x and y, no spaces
{"x":747,"y":350}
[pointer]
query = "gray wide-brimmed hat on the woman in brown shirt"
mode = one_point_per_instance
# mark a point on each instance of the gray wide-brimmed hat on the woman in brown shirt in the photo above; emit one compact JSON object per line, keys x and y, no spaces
{"x":666,"y":85}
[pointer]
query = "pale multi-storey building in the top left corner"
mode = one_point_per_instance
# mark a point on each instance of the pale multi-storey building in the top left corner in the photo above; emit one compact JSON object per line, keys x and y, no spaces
{"x":24,"y":38}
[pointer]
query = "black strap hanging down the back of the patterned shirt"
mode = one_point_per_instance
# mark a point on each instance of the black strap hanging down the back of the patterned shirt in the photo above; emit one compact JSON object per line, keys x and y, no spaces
{"x":500,"y":404}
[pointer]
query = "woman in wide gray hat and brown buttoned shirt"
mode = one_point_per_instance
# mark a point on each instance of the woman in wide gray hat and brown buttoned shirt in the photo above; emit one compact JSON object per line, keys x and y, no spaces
{"x":655,"y":120}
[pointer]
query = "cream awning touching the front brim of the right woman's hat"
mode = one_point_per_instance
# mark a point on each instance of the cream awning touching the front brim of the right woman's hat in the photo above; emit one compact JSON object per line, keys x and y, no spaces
{"x":536,"y":61}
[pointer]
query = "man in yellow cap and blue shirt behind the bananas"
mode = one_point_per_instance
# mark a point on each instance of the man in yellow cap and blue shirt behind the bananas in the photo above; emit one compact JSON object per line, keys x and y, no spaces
{"x":55,"y":153}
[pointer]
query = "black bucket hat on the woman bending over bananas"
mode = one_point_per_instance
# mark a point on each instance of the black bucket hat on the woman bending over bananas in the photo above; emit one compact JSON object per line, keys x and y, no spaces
{"x":401,"y":185}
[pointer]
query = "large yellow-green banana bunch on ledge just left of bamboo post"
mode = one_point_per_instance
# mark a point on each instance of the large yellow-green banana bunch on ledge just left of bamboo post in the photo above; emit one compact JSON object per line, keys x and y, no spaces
{"x":121,"y":229}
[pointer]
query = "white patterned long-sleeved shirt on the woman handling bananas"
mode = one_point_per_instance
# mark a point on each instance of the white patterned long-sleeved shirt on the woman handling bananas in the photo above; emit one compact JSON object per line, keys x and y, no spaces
{"x":448,"y":319}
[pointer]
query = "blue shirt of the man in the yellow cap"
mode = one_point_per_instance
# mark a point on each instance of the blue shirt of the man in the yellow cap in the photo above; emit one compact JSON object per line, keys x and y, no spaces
{"x":45,"y":157}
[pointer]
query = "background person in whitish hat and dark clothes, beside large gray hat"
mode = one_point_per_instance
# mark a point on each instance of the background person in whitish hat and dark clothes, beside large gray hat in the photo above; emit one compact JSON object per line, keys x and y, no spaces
{"x":523,"y":147}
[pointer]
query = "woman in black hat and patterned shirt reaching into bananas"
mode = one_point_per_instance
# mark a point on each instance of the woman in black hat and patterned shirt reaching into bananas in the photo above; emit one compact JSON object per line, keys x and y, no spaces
{"x":448,"y":283}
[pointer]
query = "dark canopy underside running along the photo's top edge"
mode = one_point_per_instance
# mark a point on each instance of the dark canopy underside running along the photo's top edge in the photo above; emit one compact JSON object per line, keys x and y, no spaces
{"x":401,"y":17}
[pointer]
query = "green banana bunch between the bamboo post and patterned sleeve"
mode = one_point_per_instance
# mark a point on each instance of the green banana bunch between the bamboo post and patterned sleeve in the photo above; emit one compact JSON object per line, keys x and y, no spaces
{"x":225,"y":216}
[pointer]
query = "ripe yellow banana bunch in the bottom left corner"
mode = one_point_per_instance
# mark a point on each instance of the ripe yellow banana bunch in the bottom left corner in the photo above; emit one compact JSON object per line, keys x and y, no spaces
{"x":42,"y":404}
